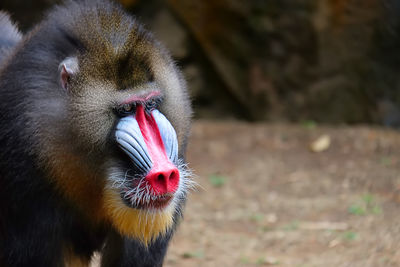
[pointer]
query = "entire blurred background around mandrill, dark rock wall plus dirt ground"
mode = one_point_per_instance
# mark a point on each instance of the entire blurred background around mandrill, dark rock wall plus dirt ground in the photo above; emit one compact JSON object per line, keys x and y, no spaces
{"x":294,"y":142}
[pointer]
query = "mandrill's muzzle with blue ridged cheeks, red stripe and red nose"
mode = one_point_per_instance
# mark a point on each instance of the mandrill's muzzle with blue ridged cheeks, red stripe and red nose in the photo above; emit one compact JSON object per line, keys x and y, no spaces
{"x":150,"y":141}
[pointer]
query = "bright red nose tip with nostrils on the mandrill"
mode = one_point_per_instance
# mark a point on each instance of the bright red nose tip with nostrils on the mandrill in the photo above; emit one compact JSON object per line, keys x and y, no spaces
{"x":163,"y":179}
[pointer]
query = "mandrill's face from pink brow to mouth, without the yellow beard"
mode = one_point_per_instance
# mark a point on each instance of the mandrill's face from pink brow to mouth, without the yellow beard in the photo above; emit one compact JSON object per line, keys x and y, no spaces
{"x":149,"y":140}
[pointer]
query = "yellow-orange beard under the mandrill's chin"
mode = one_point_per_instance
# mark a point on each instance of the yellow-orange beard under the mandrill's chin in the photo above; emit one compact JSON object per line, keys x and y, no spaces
{"x":139,"y":224}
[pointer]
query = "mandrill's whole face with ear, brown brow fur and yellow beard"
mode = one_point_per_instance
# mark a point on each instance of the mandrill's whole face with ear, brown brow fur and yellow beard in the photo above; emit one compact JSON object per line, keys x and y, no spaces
{"x":128,"y":112}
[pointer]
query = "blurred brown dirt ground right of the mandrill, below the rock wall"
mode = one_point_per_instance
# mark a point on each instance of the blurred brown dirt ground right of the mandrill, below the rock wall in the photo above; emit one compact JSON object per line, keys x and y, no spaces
{"x":266,"y":199}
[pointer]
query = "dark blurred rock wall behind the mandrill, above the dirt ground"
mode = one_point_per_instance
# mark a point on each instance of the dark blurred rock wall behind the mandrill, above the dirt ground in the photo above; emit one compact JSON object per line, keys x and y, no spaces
{"x":295,"y":60}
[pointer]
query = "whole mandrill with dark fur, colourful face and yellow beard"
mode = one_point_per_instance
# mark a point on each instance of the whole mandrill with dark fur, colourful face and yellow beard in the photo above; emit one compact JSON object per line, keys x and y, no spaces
{"x":94,"y":119}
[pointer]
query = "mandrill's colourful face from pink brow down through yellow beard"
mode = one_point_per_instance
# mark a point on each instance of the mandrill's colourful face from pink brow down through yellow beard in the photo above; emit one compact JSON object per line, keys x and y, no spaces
{"x":147,"y":181}
